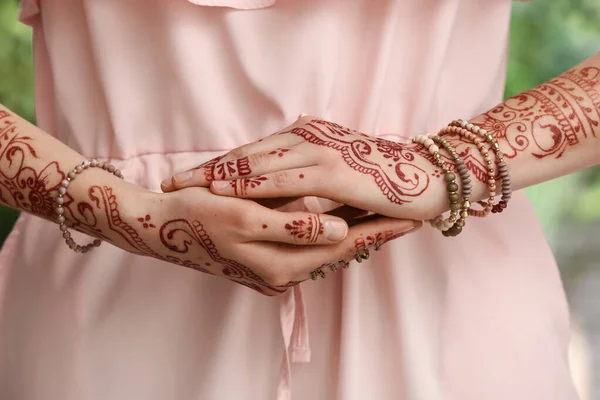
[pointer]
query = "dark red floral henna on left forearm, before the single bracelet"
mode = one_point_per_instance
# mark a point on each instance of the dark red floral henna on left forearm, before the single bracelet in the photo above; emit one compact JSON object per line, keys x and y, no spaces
{"x":22,"y":186}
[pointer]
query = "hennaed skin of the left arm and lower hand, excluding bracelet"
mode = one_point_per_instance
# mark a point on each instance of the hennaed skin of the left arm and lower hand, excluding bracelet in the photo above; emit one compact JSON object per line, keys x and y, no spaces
{"x":240,"y":240}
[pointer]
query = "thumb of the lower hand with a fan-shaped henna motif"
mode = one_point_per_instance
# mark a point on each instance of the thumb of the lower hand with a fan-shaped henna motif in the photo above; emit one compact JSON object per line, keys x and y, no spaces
{"x":299,"y":228}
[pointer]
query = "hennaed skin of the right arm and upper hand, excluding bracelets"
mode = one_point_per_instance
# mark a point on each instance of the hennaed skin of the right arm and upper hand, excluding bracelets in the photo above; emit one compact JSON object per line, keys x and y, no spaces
{"x":546,"y":132}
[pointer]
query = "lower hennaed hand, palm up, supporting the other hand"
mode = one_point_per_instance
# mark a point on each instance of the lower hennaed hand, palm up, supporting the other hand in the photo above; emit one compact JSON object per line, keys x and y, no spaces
{"x":238,"y":239}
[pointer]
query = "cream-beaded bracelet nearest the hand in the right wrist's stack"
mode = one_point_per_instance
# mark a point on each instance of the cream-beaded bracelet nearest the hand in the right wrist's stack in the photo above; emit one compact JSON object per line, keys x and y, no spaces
{"x":448,"y":226}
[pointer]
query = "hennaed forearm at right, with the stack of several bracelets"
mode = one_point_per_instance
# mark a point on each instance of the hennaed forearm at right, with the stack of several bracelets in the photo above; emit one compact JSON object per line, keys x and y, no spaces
{"x":546,"y":132}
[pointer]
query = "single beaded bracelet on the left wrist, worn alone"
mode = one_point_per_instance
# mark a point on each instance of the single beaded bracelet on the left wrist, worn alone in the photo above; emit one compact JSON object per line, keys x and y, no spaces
{"x":59,"y":201}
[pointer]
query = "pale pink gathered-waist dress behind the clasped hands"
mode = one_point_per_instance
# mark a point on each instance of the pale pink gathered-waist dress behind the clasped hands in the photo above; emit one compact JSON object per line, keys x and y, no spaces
{"x":157,"y":86}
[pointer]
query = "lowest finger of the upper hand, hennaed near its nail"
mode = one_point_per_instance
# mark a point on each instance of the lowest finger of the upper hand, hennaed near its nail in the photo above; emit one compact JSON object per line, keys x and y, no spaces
{"x":290,"y":183}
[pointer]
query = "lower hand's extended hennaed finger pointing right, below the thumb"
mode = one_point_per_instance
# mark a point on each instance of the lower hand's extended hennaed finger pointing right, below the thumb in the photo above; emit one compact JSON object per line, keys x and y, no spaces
{"x":368,"y":236}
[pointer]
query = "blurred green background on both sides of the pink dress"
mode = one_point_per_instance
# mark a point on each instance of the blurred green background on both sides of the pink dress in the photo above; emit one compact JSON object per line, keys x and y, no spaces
{"x":547,"y":37}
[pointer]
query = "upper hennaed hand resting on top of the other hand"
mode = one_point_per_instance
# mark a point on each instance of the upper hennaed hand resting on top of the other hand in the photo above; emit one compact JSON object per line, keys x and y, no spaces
{"x":313,"y":157}
